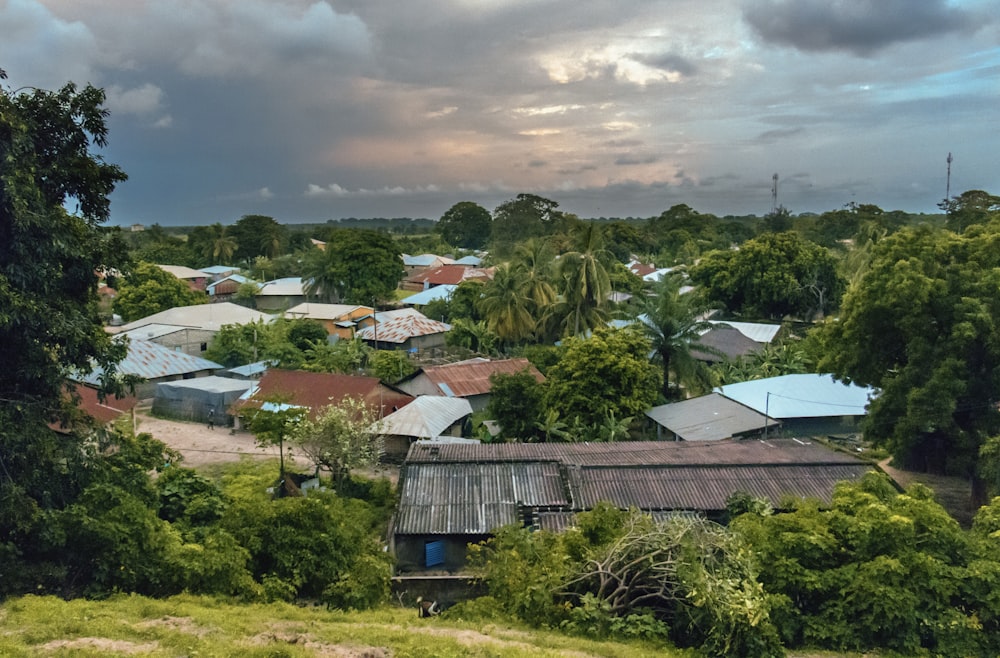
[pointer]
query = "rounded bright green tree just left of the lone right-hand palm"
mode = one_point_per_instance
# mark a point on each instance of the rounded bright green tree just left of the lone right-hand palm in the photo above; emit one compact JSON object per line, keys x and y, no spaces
{"x":604,"y":374}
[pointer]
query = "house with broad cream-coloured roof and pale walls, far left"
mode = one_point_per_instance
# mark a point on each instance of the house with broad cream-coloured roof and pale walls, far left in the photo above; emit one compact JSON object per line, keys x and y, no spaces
{"x":190,"y":328}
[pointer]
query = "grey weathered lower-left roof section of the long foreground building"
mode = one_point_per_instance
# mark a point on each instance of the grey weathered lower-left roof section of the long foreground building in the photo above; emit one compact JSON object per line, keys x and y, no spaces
{"x":473,"y":499}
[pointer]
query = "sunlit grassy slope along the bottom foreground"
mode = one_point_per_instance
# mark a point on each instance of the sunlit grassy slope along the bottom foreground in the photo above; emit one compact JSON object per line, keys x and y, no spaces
{"x":129,"y":625}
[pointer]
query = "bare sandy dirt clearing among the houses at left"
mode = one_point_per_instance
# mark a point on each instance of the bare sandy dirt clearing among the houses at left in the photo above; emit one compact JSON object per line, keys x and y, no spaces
{"x":200,"y":445}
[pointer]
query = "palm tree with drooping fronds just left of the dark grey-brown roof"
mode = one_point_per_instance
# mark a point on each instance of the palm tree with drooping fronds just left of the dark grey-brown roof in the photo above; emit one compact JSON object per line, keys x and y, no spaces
{"x":673,"y":322}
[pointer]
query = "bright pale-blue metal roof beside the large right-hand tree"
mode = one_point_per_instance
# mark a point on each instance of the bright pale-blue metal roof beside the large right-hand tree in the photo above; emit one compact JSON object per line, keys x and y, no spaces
{"x":800,"y":396}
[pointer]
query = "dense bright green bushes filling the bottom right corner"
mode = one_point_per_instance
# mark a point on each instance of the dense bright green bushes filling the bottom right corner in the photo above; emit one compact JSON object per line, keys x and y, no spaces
{"x":877,"y":569}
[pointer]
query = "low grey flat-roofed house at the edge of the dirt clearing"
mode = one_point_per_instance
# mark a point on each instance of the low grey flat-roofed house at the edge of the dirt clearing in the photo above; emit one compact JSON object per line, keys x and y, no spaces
{"x":199,"y":399}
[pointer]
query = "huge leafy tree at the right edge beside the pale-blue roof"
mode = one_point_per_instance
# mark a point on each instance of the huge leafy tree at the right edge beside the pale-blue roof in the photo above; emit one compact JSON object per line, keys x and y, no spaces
{"x":921,"y":326}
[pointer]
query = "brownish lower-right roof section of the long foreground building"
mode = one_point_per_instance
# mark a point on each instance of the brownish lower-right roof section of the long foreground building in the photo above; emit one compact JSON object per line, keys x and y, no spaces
{"x":706,"y":488}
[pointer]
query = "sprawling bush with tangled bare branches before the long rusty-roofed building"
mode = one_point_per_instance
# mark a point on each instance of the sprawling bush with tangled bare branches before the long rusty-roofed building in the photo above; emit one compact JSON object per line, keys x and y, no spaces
{"x":620,"y":574}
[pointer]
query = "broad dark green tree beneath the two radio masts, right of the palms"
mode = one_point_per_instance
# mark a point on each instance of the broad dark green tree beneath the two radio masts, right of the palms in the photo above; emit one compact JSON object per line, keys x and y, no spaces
{"x":772,"y":275}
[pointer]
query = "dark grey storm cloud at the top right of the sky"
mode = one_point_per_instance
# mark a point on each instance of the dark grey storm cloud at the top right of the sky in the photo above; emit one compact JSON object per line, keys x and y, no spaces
{"x":861,"y":27}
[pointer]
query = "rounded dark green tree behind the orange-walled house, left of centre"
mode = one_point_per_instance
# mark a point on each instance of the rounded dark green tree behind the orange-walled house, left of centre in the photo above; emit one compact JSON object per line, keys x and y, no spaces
{"x":357,"y":267}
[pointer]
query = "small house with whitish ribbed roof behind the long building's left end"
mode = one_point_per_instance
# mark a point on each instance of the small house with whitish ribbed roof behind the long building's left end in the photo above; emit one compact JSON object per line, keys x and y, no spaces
{"x":426,"y":418}
